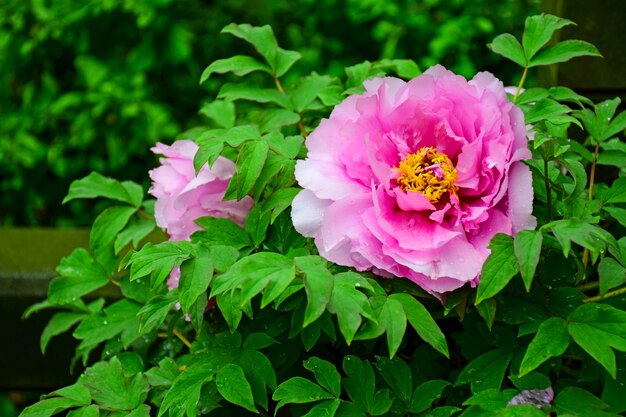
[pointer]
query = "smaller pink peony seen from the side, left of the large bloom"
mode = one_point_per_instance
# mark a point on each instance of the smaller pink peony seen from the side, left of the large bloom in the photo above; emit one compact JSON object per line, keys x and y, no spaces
{"x":182,"y":197}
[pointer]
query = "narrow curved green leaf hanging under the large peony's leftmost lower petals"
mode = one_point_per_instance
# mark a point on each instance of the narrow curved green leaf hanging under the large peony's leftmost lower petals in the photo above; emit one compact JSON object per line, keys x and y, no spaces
{"x":318,"y":283}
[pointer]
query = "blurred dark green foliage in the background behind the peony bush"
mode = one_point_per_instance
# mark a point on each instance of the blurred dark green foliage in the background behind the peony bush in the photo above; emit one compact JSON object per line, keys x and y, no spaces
{"x":91,"y":85}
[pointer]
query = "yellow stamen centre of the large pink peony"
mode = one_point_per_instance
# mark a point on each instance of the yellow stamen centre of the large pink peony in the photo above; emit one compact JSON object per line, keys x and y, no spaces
{"x":428,"y":172}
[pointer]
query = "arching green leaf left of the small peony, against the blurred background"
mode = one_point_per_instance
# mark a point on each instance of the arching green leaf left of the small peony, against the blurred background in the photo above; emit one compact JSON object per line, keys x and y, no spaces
{"x":96,"y":185}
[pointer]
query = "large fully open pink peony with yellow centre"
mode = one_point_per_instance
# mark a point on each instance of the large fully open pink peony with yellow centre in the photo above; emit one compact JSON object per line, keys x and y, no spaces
{"x":413,"y":179}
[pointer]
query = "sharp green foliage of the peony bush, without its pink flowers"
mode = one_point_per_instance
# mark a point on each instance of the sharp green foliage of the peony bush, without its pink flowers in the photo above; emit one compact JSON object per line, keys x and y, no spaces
{"x":261,"y":324}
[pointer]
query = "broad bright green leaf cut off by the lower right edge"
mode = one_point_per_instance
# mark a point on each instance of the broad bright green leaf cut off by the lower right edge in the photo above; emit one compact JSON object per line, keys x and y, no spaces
{"x":597,"y":328}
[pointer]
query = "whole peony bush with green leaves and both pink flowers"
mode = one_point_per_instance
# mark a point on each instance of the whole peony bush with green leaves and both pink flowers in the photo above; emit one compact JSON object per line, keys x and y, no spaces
{"x":378,"y":314}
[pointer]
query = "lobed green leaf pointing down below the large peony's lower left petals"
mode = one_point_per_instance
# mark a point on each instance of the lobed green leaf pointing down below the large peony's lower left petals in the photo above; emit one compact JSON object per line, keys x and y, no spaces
{"x":349,"y":304}
